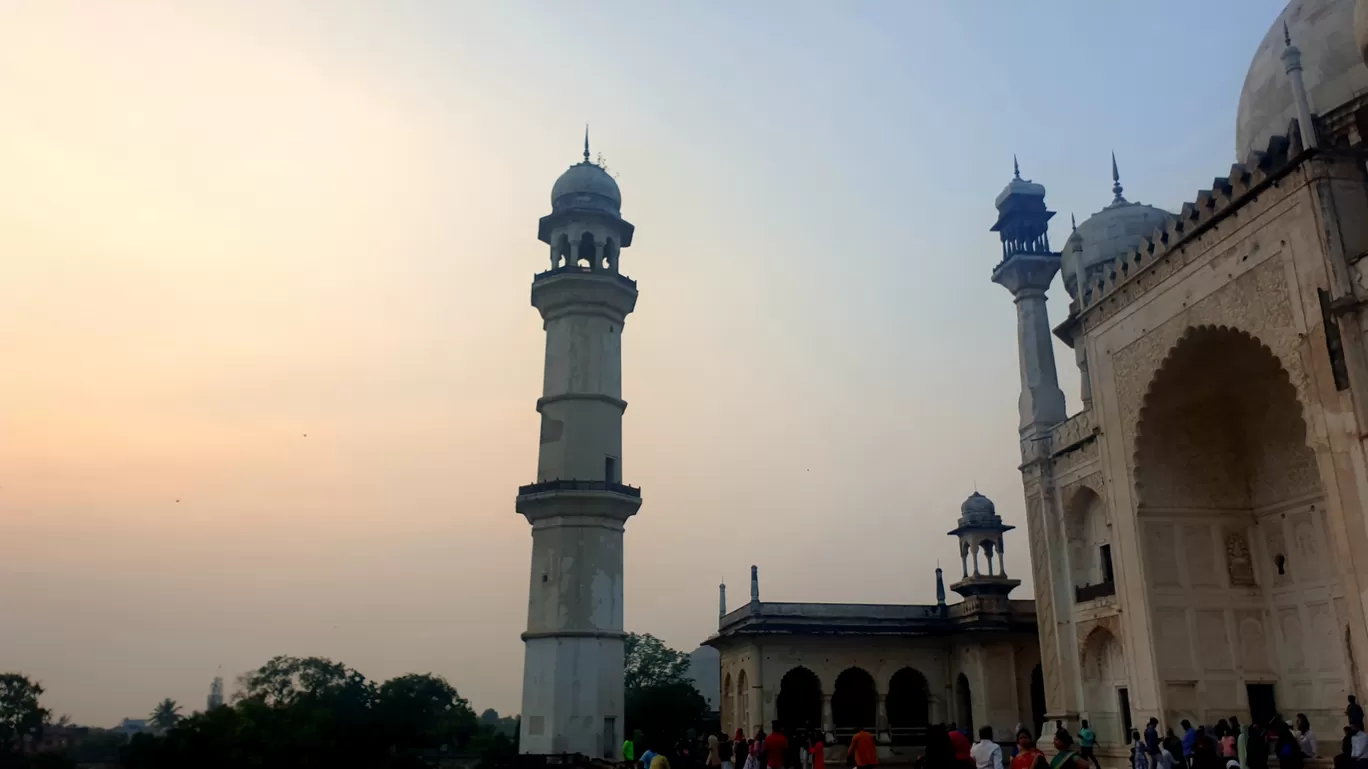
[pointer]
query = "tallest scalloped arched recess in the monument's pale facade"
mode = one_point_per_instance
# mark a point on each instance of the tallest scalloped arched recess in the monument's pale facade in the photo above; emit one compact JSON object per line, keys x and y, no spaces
{"x":1231,"y":507}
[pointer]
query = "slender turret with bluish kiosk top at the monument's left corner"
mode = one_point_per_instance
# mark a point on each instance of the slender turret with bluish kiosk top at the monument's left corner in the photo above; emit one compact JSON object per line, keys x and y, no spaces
{"x":1027,"y":270}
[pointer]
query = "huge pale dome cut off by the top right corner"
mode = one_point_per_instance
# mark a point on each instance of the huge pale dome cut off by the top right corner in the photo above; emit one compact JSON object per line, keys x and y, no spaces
{"x":1333,"y":69}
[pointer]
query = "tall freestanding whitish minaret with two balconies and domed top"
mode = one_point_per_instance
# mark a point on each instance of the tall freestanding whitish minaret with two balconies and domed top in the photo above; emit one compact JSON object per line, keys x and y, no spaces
{"x":573,"y":673}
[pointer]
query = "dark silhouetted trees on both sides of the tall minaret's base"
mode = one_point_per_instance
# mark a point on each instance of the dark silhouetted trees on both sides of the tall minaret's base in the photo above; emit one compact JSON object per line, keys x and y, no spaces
{"x":311,"y":712}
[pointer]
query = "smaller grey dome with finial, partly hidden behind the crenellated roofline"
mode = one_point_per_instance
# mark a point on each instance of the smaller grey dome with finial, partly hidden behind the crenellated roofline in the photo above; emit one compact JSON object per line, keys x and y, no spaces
{"x":1107,"y":235}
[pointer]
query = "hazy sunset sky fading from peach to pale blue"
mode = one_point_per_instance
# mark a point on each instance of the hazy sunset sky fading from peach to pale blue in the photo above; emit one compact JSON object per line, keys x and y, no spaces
{"x":269,"y":367}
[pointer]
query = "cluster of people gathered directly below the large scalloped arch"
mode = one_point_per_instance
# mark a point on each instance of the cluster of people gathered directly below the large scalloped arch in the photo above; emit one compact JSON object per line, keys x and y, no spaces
{"x":1229,"y":745}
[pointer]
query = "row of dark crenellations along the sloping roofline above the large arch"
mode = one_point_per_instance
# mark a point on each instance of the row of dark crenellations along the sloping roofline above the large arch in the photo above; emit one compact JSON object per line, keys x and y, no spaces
{"x":1246,"y":181}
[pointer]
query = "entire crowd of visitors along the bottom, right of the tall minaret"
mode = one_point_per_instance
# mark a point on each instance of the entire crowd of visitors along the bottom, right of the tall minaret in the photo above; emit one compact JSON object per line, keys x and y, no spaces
{"x":1228,"y":745}
